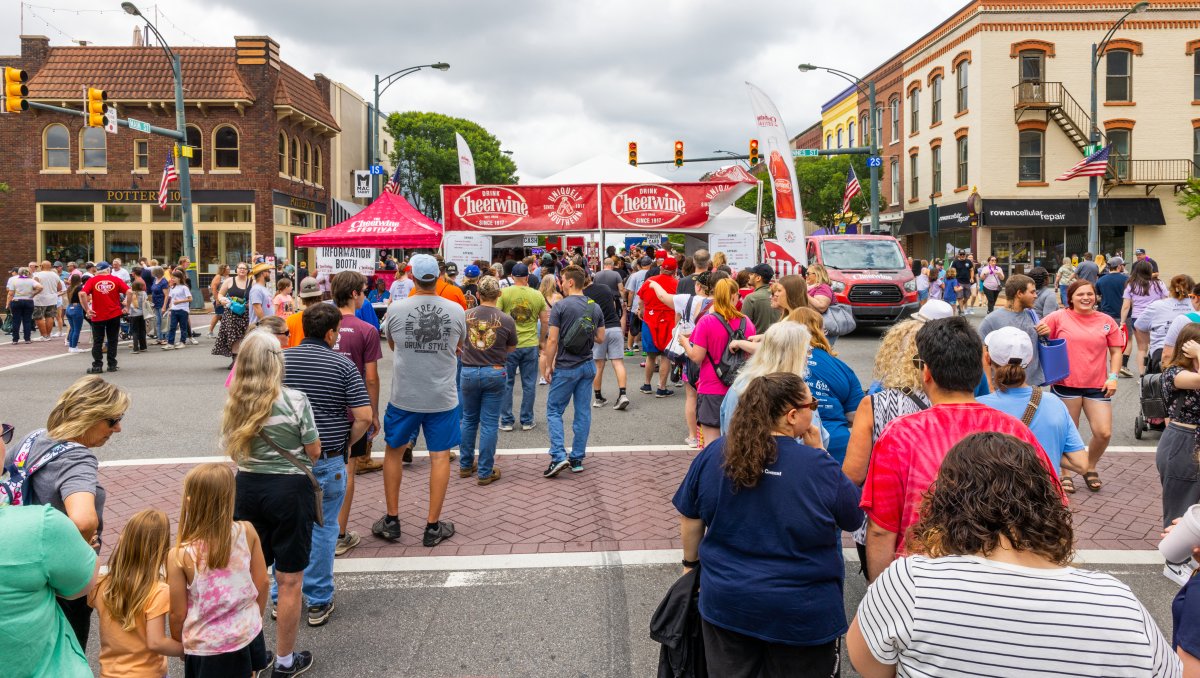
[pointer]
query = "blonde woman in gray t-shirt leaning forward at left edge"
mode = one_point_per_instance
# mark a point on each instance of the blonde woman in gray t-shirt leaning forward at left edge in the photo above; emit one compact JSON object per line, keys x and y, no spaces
{"x":86,"y":417}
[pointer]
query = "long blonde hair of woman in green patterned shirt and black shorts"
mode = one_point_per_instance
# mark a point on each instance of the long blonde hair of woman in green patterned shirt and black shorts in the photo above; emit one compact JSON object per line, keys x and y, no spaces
{"x":257,"y":381}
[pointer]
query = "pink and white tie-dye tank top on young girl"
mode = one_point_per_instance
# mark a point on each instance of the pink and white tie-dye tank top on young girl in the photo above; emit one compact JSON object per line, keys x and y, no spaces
{"x":223,"y":605}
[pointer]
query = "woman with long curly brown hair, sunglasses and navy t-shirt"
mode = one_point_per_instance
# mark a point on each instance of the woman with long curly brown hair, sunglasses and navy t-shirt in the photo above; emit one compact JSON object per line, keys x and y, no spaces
{"x":763,"y":517}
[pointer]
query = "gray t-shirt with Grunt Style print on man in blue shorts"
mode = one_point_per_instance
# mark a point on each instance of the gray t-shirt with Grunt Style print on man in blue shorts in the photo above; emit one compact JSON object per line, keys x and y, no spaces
{"x":427,"y":332}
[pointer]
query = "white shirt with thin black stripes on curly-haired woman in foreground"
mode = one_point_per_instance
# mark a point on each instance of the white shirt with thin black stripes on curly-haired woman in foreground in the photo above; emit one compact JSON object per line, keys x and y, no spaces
{"x":969,"y":616}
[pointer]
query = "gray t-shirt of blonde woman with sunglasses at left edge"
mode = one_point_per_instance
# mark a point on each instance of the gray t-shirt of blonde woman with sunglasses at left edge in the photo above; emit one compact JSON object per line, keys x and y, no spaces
{"x":76,"y":470}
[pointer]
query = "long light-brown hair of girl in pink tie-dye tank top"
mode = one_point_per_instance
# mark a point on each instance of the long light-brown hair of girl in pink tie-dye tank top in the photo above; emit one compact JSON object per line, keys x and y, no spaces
{"x":206,"y":519}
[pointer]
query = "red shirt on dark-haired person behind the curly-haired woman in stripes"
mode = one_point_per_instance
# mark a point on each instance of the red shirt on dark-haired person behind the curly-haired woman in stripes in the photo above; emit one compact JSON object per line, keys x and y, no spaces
{"x":908,"y":455}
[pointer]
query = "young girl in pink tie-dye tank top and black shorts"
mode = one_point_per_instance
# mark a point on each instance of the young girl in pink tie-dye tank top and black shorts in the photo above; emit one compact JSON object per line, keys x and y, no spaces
{"x":218,"y":581}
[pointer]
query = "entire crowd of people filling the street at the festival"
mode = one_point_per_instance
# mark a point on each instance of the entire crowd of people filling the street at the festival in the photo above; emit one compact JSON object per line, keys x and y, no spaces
{"x":952,"y":470}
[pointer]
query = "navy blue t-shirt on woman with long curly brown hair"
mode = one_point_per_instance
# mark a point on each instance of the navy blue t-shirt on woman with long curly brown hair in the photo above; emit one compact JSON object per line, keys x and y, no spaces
{"x":771,"y":559}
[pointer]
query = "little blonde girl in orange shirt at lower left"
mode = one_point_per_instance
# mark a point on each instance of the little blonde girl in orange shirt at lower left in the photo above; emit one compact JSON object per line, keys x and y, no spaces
{"x":133,"y":602}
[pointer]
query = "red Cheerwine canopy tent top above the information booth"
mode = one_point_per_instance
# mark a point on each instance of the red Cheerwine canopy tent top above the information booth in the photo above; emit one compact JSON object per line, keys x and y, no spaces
{"x":387,"y":223}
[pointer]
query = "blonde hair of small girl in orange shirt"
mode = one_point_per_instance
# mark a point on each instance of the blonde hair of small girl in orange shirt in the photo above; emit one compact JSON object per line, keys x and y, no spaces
{"x":135,"y":568}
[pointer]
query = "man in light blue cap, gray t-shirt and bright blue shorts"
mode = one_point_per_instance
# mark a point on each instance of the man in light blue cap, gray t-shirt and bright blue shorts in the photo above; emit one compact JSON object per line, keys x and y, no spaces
{"x":425,"y":333}
